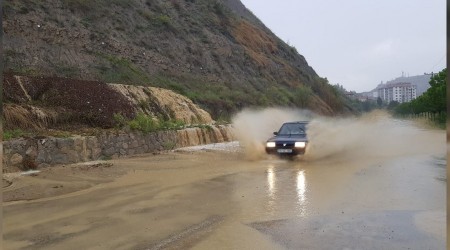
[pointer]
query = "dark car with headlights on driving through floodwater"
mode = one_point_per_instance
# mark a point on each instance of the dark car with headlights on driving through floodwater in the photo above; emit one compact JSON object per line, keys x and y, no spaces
{"x":290,"y":140}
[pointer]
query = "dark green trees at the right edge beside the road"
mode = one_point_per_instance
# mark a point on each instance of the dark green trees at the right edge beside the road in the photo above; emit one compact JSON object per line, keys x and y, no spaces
{"x":432,"y":102}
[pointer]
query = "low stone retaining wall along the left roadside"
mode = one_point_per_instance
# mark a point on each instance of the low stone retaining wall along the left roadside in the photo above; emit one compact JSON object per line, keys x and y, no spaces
{"x":26,"y":153}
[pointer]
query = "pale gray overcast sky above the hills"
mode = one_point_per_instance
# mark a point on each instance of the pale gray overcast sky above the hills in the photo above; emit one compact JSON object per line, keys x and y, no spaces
{"x":359,"y":43}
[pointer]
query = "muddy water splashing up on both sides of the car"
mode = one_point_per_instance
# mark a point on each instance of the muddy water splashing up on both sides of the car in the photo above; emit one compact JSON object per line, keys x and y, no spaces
{"x":374,"y":134}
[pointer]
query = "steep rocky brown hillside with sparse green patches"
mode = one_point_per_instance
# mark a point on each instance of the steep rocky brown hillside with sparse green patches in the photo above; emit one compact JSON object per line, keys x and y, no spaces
{"x":215,"y":52}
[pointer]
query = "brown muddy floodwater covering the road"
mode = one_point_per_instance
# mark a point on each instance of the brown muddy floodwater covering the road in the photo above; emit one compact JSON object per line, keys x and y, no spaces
{"x":364,"y":196}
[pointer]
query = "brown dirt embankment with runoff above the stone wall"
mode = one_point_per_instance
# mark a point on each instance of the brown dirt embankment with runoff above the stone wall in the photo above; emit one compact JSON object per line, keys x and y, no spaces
{"x":55,"y":102}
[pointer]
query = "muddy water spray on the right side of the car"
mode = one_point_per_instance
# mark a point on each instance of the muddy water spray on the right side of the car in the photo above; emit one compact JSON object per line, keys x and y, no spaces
{"x":374,"y":134}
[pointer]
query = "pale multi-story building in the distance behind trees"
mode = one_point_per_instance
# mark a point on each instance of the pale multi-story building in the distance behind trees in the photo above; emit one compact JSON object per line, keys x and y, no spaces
{"x":400,"y":92}
